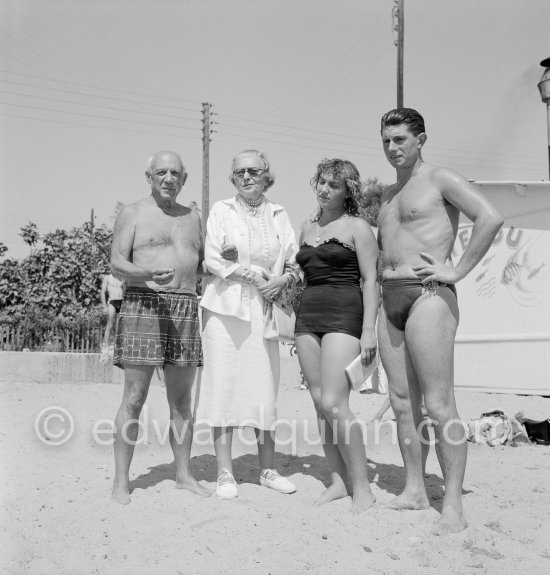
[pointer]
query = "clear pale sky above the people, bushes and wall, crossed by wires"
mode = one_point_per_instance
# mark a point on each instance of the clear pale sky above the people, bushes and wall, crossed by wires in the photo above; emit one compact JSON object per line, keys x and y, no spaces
{"x":90,"y":88}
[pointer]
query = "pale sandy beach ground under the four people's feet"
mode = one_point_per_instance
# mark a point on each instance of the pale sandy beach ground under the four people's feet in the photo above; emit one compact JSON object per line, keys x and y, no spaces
{"x":58,"y":516}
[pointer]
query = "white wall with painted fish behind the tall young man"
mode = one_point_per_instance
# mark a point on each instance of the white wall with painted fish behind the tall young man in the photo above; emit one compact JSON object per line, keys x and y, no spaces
{"x":503,"y":340}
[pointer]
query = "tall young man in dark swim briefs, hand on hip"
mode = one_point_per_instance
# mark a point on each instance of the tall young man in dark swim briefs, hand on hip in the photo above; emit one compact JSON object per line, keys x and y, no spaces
{"x":418,"y":223}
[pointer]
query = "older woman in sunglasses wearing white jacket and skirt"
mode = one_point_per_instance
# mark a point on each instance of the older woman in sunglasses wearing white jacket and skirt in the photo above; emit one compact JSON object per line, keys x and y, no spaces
{"x":250,"y":251}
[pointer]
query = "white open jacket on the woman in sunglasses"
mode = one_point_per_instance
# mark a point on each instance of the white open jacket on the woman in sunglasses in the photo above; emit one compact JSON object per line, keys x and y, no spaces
{"x":231,"y":297}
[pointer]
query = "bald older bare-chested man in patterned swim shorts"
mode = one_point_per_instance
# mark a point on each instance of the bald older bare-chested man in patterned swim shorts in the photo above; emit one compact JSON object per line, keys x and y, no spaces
{"x":157,"y":250}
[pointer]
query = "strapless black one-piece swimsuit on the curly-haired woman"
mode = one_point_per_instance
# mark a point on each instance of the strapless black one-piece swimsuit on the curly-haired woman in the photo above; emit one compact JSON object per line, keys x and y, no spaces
{"x":332,"y":301}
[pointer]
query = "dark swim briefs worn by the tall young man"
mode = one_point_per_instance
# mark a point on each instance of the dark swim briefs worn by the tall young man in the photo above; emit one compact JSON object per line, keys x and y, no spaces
{"x":399,"y":295}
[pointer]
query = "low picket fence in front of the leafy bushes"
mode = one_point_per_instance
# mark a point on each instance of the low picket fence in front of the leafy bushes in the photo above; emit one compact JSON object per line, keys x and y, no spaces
{"x":84,"y":339}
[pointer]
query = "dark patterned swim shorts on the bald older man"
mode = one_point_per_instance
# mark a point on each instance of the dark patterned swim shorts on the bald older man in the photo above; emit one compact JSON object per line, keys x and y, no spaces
{"x":157,"y":328}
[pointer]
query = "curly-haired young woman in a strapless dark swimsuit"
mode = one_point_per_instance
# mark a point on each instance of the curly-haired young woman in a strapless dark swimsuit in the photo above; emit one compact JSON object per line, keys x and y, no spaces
{"x":336,"y":321}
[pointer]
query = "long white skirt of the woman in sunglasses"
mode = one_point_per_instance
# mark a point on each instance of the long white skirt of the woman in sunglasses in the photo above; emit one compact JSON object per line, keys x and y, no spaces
{"x":240,"y":378}
